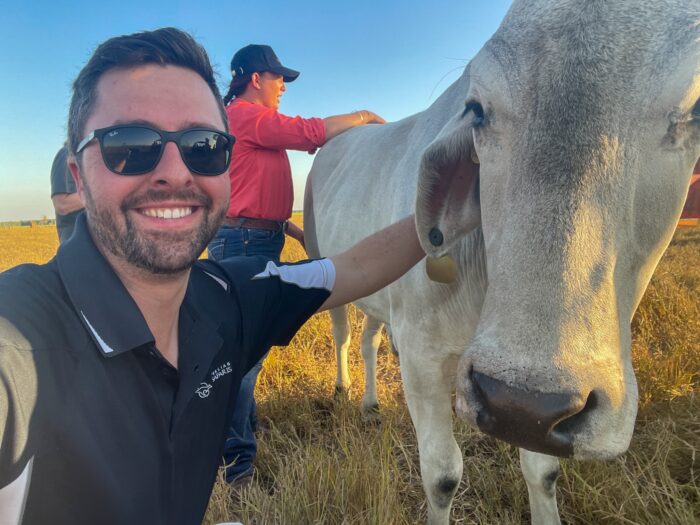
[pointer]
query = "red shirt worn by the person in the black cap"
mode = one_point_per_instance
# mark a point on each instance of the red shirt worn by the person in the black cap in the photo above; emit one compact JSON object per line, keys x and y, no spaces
{"x":261,"y":177}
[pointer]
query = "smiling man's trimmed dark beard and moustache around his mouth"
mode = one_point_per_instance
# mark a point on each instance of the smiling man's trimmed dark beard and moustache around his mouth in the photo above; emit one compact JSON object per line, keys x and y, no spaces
{"x":158,"y":252}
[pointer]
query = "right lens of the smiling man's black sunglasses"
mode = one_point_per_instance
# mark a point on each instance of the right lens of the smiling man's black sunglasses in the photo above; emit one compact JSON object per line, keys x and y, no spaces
{"x":205,"y":152}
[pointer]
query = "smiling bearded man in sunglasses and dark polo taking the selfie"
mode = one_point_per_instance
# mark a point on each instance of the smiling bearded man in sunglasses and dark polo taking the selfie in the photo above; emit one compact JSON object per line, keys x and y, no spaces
{"x":121,"y":357}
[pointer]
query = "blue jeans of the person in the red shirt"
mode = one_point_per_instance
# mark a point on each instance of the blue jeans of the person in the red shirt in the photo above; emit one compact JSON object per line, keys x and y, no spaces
{"x":240,"y":447}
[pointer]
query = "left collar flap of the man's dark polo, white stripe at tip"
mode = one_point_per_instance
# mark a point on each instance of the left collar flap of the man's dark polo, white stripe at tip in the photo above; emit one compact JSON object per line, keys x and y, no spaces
{"x":101,"y":301}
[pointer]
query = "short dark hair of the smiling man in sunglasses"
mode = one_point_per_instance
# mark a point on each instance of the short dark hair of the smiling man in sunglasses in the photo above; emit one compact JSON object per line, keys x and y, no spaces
{"x":166,"y":46}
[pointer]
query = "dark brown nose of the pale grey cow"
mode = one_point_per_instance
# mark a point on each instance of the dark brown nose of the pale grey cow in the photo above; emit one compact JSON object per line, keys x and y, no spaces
{"x":539,"y":421}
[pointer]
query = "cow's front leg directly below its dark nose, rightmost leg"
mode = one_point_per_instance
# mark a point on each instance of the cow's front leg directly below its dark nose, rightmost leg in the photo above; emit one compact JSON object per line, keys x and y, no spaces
{"x":541,"y":473}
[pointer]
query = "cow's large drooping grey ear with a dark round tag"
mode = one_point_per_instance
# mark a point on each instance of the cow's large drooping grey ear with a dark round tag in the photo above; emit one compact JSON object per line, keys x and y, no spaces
{"x":447,"y":203}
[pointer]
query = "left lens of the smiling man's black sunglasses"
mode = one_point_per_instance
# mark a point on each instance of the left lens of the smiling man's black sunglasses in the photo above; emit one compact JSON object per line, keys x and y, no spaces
{"x":131,"y":150}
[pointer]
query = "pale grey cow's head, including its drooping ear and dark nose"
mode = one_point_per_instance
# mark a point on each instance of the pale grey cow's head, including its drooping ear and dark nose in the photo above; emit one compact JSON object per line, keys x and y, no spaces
{"x":575,"y":149}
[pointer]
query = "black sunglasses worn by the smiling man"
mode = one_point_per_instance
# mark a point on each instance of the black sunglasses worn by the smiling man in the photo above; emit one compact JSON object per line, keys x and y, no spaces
{"x":133,"y":149}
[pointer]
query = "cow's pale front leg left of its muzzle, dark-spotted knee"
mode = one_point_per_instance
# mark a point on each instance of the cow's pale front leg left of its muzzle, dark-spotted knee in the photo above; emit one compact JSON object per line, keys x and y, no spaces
{"x":428,"y":395}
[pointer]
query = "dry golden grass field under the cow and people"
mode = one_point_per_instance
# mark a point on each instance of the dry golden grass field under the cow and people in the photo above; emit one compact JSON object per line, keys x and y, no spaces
{"x":319,"y":463}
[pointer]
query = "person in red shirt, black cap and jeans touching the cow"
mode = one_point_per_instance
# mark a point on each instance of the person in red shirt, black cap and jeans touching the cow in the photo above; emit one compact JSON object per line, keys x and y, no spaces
{"x":262,"y":196}
